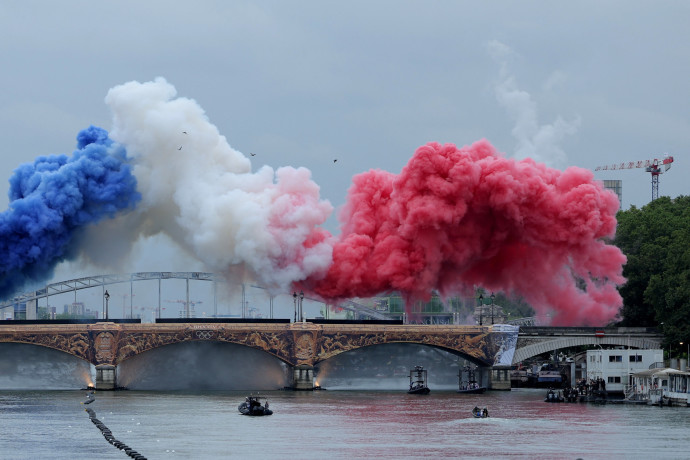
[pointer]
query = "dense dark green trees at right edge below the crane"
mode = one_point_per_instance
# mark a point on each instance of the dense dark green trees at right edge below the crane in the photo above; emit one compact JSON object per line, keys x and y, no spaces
{"x":656,"y":241}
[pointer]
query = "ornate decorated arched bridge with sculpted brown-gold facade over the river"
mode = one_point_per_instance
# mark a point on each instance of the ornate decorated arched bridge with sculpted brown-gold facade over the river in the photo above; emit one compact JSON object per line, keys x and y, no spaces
{"x":301,"y":345}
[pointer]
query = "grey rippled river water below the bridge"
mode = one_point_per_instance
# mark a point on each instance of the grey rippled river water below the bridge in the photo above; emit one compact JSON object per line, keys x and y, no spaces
{"x":335,"y":424}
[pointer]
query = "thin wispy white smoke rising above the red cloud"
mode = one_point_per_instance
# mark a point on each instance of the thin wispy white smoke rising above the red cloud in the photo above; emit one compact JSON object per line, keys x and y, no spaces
{"x":539,"y":142}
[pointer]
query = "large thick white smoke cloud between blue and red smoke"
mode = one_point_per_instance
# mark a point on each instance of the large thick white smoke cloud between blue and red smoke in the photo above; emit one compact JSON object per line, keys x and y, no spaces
{"x":201,"y":192}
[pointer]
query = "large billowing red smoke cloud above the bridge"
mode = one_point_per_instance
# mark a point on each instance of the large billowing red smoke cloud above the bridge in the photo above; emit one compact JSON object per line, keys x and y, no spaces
{"x":458,"y":218}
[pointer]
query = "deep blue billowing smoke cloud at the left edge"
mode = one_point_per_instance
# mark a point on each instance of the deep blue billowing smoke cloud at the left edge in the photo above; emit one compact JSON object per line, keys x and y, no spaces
{"x":53,"y":199}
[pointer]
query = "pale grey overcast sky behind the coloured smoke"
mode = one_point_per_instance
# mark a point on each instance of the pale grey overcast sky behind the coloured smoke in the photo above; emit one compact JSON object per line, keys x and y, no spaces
{"x":304,"y":83}
